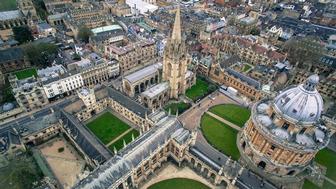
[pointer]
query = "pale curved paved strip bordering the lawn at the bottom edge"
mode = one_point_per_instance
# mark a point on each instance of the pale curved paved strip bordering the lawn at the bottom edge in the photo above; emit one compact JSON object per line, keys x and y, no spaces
{"x":172,"y":171}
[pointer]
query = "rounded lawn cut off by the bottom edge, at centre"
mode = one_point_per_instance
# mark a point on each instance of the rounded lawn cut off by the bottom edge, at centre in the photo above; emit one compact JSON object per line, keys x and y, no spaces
{"x":179,"y":183}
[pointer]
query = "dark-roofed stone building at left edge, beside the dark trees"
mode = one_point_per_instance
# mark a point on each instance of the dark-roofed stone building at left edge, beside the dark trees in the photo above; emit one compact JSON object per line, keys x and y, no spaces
{"x":12,"y":59}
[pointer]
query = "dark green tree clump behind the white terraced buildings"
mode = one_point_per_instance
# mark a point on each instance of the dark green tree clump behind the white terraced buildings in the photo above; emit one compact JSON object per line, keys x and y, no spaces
{"x":41,"y":54}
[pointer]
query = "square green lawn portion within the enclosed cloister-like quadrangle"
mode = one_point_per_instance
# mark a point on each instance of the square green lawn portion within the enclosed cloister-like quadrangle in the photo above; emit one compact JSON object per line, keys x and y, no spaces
{"x":107,"y":127}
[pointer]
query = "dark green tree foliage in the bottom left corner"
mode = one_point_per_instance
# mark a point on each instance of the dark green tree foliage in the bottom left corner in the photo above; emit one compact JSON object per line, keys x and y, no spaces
{"x":21,"y":173}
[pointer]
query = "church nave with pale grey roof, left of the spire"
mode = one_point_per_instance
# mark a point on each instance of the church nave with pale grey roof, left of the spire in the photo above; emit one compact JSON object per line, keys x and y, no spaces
{"x":139,"y":81}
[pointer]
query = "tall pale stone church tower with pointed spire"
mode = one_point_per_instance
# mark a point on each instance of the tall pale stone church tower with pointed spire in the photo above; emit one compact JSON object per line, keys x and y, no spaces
{"x":175,"y":60}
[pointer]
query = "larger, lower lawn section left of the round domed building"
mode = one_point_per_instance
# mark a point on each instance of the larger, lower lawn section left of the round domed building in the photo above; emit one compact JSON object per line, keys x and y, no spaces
{"x":220,"y":136}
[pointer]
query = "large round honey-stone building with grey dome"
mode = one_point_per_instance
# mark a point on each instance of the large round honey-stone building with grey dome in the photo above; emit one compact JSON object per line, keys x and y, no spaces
{"x":283,"y":135}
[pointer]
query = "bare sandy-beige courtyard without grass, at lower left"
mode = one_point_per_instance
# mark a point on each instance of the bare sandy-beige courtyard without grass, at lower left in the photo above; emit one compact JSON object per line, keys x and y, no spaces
{"x":63,"y":160}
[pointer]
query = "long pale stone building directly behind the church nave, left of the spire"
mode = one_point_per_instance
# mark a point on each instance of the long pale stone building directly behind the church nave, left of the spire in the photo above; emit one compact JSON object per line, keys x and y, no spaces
{"x":133,"y":54}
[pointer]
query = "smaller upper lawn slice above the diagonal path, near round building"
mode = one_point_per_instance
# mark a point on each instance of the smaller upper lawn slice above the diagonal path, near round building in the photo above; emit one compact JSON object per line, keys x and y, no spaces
{"x":233,"y":113}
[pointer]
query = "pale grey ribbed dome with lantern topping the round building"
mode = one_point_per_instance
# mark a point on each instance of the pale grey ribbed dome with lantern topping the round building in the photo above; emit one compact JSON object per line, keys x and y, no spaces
{"x":302,"y":103}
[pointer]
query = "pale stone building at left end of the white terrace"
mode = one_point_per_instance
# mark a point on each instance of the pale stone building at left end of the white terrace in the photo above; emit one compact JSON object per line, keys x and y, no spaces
{"x":29,"y":93}
